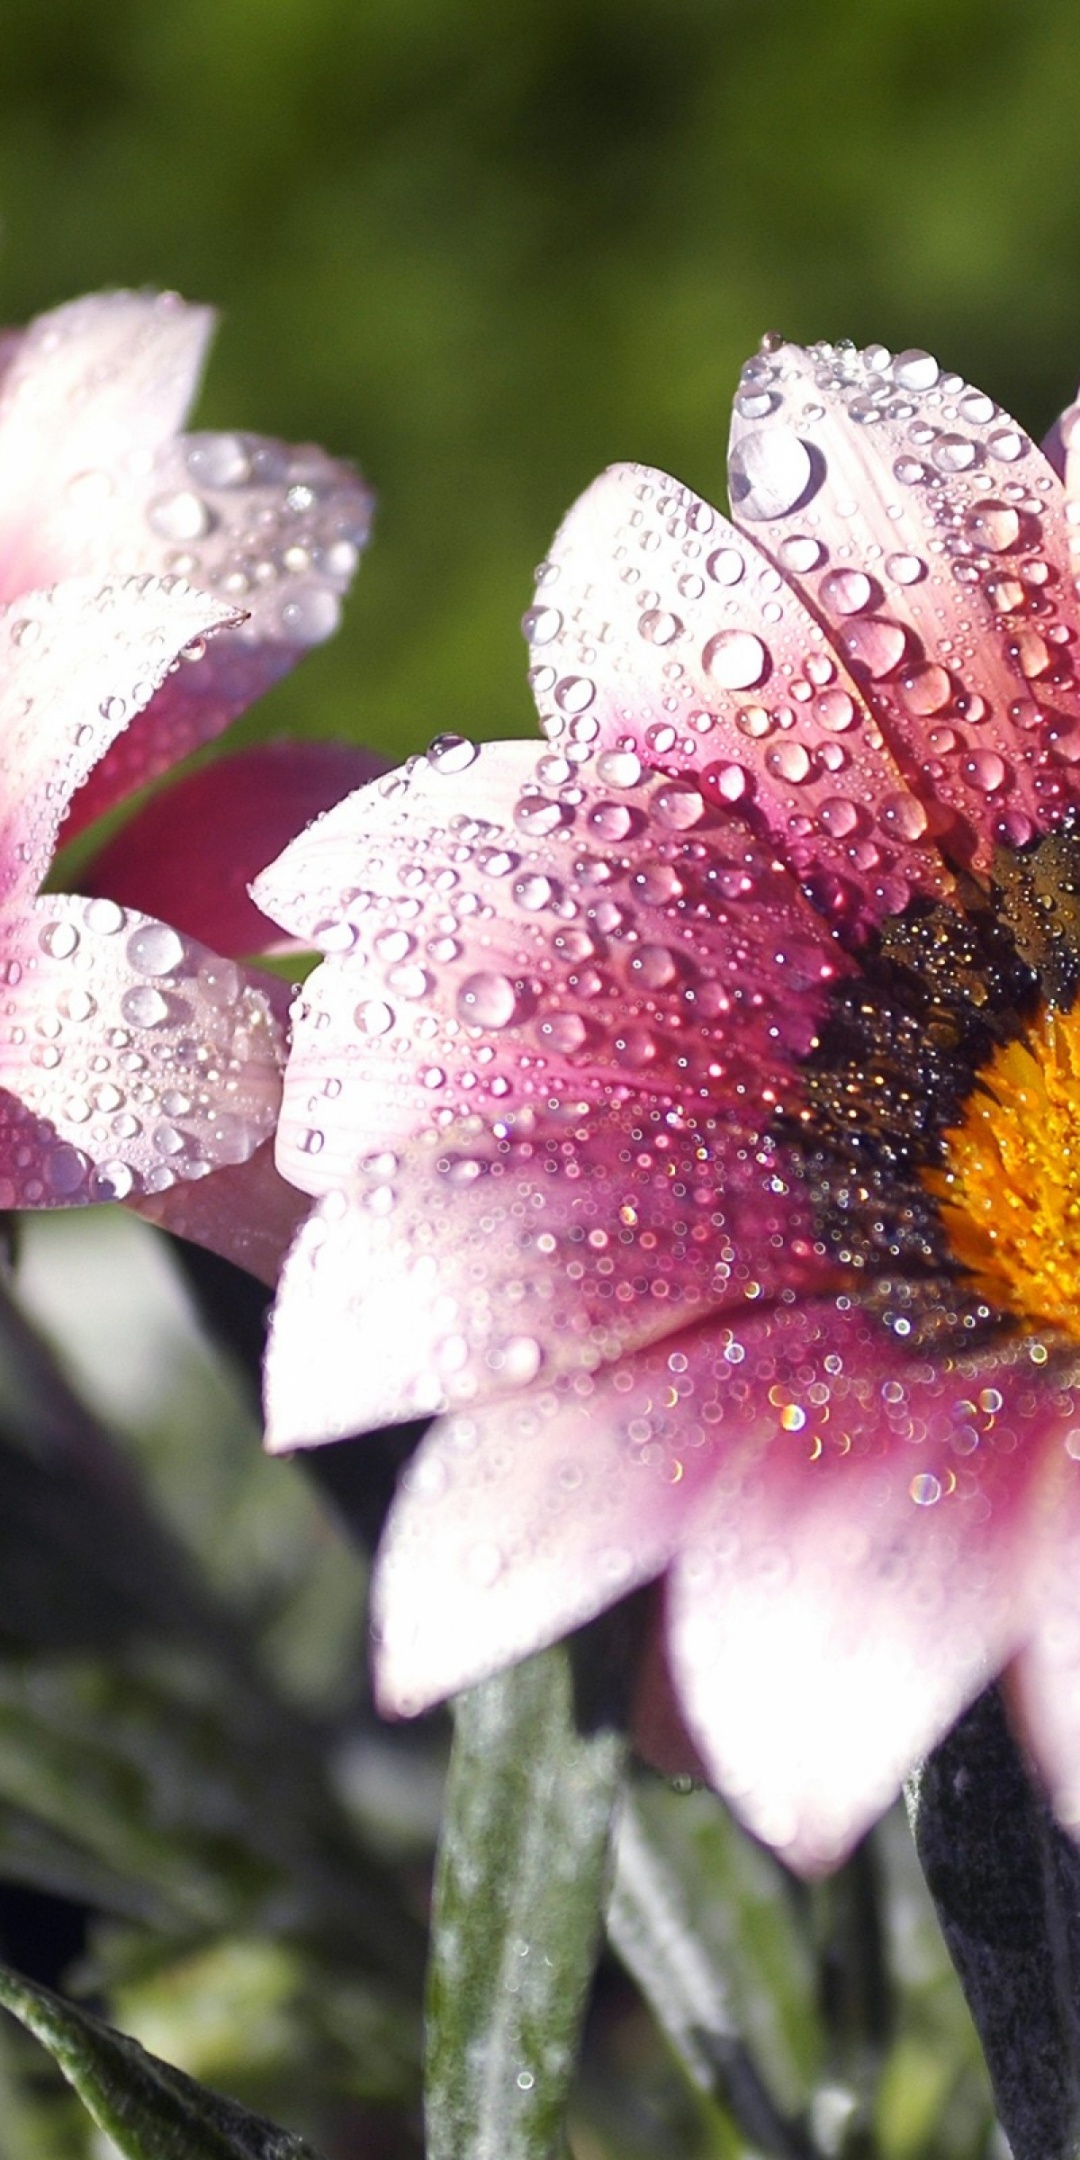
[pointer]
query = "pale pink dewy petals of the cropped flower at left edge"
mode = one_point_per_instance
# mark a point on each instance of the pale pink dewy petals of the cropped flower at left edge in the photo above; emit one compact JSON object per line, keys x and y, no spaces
{"x":133,"y":1055}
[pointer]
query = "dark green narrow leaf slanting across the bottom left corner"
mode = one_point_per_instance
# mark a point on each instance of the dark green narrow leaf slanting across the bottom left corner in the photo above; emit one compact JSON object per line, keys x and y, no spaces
{"x":144,"y":2105}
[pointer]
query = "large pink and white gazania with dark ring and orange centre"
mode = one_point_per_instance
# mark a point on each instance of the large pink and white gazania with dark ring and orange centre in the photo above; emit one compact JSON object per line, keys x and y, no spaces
{"x":694,"y":1107}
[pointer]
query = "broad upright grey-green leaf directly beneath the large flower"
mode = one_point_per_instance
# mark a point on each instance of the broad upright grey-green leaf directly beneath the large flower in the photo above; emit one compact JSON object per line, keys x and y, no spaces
{"x":524,"y":1874}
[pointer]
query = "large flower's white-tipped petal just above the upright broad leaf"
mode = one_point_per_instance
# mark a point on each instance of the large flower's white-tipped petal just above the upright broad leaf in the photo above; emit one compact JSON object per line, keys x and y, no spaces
{"x":519,"y":1522}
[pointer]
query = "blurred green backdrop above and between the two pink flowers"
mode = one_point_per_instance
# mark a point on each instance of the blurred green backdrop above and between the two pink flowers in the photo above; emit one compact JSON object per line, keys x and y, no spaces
{"x":485,"y":247}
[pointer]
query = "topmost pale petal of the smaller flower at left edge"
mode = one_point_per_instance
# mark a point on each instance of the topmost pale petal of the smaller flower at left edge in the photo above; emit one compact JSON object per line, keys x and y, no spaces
{"x":87,"y":399}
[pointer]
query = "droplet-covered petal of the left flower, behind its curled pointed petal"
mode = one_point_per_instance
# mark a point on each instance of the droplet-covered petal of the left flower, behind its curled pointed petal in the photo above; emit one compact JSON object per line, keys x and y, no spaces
{"x":278,"y":532}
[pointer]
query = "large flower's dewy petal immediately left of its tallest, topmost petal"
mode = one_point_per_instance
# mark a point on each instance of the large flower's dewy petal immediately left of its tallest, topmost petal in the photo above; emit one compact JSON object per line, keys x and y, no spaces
{"x":662,"y":632}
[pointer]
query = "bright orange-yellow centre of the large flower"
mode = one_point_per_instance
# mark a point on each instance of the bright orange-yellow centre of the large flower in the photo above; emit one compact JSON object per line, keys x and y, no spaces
{"x":1010,"y":1185}
